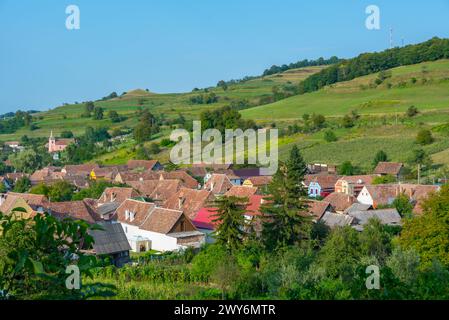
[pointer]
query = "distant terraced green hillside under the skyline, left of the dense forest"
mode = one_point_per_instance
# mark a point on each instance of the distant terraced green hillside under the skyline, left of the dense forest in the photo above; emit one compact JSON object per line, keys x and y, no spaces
{"x":68,"y":117}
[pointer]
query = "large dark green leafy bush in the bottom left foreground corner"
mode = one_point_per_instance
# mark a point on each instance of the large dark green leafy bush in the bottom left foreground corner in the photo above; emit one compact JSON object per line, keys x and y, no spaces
{"x":35,"y":267}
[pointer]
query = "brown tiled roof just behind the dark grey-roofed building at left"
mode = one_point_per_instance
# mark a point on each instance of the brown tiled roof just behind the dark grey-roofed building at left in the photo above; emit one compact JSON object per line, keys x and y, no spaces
{"x":79,"y":210}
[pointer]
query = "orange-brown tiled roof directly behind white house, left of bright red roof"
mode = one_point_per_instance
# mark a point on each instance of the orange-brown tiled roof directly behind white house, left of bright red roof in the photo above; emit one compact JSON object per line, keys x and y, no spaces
{"x":188,"y":200}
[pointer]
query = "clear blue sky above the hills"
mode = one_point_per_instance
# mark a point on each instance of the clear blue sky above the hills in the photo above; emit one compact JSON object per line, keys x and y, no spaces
{"x":176,"y":45}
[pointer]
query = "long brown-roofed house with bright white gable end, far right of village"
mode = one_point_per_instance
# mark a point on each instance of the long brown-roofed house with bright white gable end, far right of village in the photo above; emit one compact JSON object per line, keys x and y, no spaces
{"x":384,"y":195}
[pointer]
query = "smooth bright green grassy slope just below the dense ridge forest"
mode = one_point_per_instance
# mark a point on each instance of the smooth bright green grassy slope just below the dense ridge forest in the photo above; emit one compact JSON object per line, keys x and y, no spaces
{"x":360,"y":94}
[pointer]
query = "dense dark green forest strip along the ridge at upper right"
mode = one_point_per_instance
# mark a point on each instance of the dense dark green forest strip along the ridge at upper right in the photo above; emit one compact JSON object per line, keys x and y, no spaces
{"x":369,"y":63}
